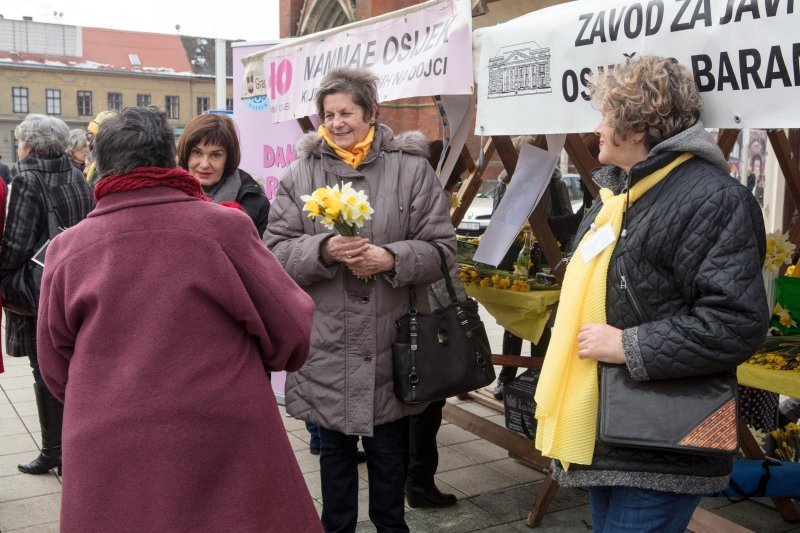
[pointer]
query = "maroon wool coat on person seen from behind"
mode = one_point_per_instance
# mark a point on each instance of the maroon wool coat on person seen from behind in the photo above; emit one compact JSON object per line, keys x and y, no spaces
{"x":158,"y":316}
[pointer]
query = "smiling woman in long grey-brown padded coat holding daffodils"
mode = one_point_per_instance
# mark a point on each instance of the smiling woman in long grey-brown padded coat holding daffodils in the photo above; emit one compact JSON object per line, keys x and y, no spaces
{"x":346,"y":385}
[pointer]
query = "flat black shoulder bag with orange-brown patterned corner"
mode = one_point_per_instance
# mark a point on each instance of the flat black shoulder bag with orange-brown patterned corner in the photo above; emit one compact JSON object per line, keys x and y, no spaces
{"x":696,"y":415}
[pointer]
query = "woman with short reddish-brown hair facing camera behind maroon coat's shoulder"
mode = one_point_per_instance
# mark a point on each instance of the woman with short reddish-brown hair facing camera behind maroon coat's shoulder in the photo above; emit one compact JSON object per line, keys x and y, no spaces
{"x":209,"y":150}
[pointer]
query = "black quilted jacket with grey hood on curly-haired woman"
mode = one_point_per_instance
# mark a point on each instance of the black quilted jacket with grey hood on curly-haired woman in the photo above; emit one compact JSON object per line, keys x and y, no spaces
{"x":693,"y":301}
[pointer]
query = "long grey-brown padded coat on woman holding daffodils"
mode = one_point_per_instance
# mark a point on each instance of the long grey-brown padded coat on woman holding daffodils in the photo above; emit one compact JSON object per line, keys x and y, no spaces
{"x":346,"y":384}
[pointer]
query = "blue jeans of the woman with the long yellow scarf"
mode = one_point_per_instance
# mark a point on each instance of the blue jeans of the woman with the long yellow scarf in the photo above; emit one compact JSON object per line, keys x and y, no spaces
{"x":631,"y":510}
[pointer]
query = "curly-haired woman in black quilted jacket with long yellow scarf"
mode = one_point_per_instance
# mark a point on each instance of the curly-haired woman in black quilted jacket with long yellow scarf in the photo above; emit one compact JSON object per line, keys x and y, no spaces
{"x":665,"y":279}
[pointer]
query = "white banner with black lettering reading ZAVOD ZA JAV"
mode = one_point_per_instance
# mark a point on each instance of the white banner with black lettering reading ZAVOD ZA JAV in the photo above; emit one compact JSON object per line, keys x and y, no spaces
{"x":744,"y":54}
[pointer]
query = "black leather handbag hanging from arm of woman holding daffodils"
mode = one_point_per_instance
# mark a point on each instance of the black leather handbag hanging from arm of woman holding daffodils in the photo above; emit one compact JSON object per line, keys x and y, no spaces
{"x":441,"y":354}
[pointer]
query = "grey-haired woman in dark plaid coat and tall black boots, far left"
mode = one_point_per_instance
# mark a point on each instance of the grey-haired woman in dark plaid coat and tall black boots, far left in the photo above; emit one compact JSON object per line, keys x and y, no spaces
{"x":42,"y":141}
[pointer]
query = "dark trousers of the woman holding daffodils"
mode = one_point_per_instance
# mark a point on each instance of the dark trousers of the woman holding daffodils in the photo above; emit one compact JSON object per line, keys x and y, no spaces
{"x":385,"y":452}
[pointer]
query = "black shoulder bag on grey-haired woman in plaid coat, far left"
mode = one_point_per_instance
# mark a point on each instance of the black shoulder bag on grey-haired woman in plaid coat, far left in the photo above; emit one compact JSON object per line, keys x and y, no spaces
{"x":21,"y":289}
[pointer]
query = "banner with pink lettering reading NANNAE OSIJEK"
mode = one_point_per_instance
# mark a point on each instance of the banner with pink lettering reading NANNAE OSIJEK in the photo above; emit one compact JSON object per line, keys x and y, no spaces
{"x":420,"y":51}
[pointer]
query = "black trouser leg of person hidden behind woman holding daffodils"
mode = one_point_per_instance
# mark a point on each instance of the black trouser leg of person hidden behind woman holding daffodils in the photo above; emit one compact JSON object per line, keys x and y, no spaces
{"x":423,"y":455}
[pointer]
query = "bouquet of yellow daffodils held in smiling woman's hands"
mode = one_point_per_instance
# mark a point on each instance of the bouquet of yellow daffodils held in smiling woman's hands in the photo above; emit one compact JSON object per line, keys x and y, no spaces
{"x":344,"y":209}
